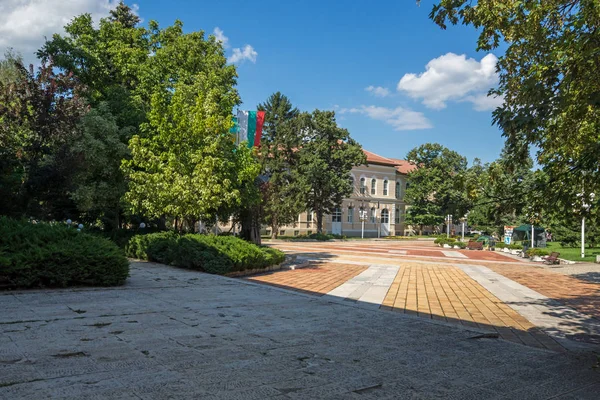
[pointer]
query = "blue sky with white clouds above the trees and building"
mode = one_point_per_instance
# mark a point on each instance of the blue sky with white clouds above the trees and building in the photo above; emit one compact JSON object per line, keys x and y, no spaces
{"x":325,"y":54}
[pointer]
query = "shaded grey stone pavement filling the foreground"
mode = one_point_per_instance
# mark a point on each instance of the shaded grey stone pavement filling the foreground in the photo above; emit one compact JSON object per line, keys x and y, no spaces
{"x":176,"y":334}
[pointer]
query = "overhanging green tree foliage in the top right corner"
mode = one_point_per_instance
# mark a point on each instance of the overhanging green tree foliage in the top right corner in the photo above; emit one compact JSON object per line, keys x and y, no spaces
{"x":548,"y":79}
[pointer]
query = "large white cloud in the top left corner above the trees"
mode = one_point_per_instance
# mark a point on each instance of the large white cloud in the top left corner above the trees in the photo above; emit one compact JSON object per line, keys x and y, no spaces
{"x":24,"y":23}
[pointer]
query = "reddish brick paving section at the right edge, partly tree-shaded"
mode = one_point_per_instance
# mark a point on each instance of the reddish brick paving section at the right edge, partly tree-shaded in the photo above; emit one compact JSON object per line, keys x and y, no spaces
{"x":581,"y":295}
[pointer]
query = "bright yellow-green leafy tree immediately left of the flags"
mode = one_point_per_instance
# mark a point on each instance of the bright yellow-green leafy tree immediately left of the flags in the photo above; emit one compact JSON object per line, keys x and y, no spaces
{"x":184,"y":163}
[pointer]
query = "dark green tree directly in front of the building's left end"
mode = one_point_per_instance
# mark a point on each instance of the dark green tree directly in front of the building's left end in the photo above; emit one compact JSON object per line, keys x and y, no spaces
{"x":326,"y":159}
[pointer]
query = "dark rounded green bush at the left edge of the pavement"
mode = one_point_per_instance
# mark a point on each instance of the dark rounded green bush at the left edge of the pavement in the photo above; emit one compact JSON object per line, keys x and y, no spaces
{"x":45,"y":255}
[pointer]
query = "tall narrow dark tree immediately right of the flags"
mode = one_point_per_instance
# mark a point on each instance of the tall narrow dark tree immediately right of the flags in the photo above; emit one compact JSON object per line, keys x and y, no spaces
{"x":282,"y":137}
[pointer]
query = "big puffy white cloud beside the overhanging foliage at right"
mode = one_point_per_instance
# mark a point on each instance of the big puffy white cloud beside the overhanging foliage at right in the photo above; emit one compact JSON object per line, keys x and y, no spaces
{"x":453,"y":77}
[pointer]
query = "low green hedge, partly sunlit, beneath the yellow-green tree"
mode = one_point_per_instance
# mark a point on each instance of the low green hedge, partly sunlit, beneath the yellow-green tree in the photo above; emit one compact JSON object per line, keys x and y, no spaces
{"x":207,"y":253}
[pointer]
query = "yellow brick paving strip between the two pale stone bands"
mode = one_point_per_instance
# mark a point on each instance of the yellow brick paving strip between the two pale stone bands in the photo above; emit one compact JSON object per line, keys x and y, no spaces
{"x":447,"y":293}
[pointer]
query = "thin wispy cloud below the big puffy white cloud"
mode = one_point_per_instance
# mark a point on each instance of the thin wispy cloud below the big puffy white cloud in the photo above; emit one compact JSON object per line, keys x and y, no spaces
{"x":402,"y":119}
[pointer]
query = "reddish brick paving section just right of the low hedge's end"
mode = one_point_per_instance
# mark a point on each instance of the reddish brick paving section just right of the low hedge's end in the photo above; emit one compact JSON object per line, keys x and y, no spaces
{"x":318,"y":278}
